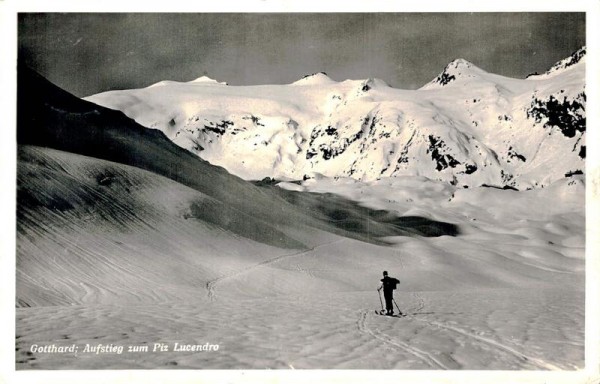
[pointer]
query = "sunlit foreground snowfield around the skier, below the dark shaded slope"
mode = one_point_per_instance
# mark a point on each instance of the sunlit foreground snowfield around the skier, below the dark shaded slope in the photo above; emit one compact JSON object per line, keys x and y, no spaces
{"x":507,"y":293}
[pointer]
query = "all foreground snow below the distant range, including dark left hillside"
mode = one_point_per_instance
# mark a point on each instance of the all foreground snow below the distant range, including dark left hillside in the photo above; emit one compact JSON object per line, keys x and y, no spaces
{"x":125,"y":239}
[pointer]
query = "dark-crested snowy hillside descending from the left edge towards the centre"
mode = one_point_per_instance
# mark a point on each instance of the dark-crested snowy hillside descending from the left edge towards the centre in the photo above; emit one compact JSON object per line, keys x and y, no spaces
{"x":86,"y":173}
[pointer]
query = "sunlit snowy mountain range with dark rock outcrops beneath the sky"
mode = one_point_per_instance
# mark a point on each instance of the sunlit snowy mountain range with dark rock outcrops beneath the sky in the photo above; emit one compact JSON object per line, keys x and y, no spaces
{"x":467,"y":126}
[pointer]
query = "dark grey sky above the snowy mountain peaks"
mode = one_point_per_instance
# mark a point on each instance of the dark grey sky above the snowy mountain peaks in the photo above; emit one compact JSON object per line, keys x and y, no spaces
{"x":90,"y":53}
